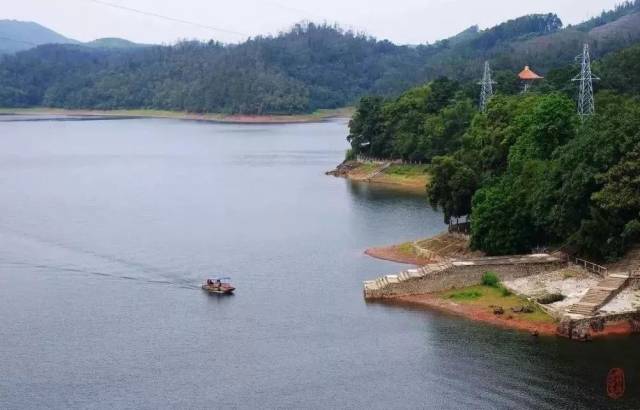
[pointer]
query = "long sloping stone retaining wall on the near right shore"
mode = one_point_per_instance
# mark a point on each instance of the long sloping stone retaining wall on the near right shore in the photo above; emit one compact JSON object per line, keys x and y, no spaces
{"x":464,"y":274}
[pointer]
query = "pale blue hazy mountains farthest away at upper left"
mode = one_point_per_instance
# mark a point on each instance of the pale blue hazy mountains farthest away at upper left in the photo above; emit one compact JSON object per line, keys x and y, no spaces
{"x":23,"y":35}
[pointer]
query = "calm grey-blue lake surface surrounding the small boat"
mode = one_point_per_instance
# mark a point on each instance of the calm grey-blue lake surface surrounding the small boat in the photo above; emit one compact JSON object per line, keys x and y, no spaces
{"x":107,"y":229}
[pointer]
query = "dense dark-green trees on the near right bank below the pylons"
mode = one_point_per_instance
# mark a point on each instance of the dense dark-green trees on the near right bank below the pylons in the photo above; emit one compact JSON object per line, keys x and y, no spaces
{"x":528,"y":172}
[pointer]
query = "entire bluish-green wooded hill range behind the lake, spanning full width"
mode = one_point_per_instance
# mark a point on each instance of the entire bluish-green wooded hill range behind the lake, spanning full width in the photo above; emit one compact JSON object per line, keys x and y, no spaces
{"x":309,"y":67}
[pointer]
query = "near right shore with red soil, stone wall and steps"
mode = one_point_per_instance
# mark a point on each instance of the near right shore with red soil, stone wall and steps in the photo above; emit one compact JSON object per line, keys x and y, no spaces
{"x":554,"y":289}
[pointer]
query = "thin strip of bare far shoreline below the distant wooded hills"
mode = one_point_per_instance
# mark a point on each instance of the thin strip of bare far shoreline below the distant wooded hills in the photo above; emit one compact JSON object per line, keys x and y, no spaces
{"x":318,"y":116}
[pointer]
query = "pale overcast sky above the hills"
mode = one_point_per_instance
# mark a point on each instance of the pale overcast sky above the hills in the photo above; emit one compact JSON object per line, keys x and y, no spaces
{"x":401,"y":21}
